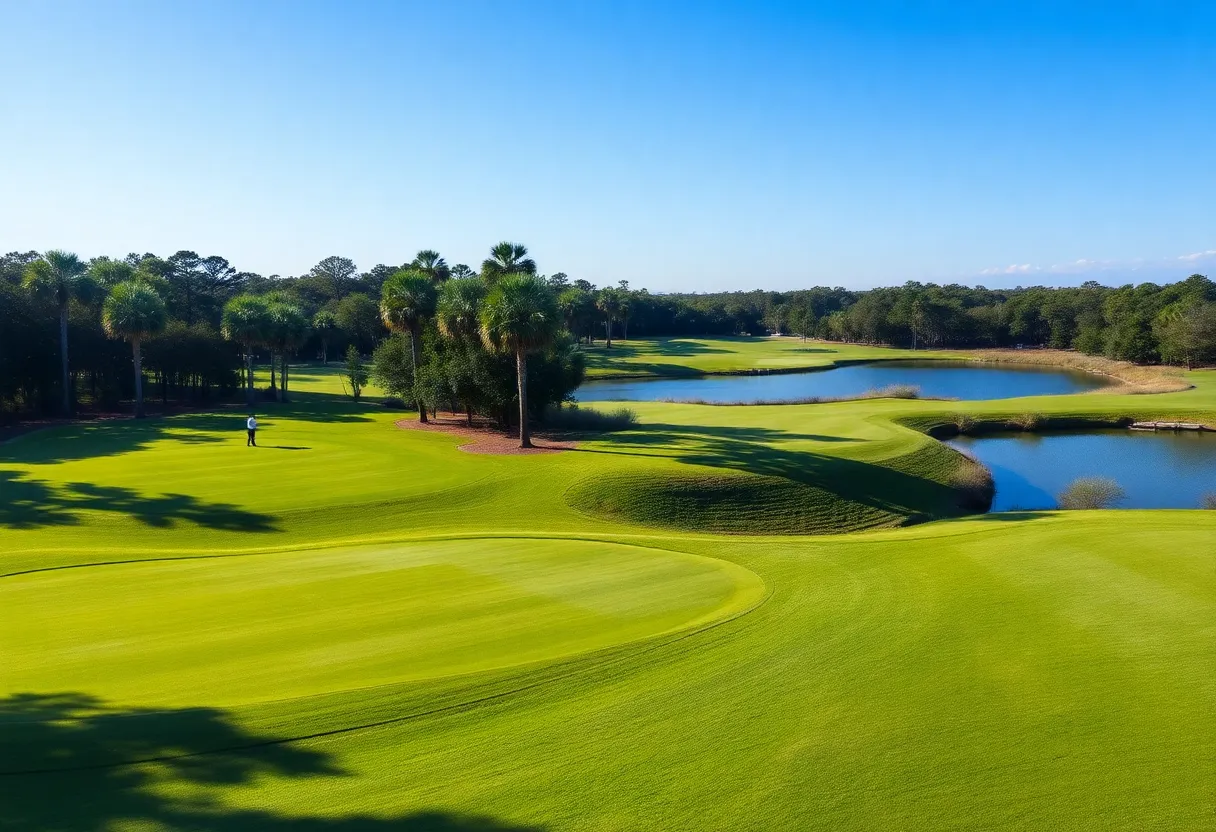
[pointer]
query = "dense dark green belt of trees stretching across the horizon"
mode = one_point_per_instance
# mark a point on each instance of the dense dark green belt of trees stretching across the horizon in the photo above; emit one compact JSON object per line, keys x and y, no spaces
{"x":178,"y":318}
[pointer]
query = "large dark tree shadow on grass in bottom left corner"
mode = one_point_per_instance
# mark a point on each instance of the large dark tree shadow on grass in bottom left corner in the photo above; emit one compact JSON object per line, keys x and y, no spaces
{"x":72,"y":762}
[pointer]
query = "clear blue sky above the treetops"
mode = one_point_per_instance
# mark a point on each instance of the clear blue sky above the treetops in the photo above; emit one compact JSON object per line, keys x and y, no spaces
{"x":682,"y":147}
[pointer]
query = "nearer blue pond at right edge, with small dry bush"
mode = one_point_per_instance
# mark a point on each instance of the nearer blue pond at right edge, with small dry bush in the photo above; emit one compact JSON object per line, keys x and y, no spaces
{"x":1162,"y":470}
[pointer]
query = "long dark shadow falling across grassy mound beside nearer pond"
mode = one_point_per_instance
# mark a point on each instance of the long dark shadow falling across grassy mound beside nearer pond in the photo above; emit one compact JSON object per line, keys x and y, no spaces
{"x":758,"y":452}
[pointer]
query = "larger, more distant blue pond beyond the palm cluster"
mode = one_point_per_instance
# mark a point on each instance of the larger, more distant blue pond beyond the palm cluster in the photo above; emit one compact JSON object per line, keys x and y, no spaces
{"x":947,"y":380}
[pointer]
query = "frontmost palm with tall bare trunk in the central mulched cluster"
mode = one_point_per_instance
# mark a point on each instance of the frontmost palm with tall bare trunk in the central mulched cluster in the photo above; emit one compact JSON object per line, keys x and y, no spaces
{"x":521,"y":317}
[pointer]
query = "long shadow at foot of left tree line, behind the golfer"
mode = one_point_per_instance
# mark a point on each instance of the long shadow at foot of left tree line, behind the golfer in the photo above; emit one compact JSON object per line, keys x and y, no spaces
{"x":111,"y":437}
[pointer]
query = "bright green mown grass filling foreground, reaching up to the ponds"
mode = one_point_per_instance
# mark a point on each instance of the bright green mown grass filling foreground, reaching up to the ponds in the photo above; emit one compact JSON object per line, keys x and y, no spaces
{"x":363,"y":628}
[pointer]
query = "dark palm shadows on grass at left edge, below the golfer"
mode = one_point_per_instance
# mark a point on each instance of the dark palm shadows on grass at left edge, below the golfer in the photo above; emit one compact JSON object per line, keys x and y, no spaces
{"x":27,"y":504}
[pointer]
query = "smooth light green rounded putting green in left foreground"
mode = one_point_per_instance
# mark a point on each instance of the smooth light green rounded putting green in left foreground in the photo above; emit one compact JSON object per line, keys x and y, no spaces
{"x":232,"y":631}
